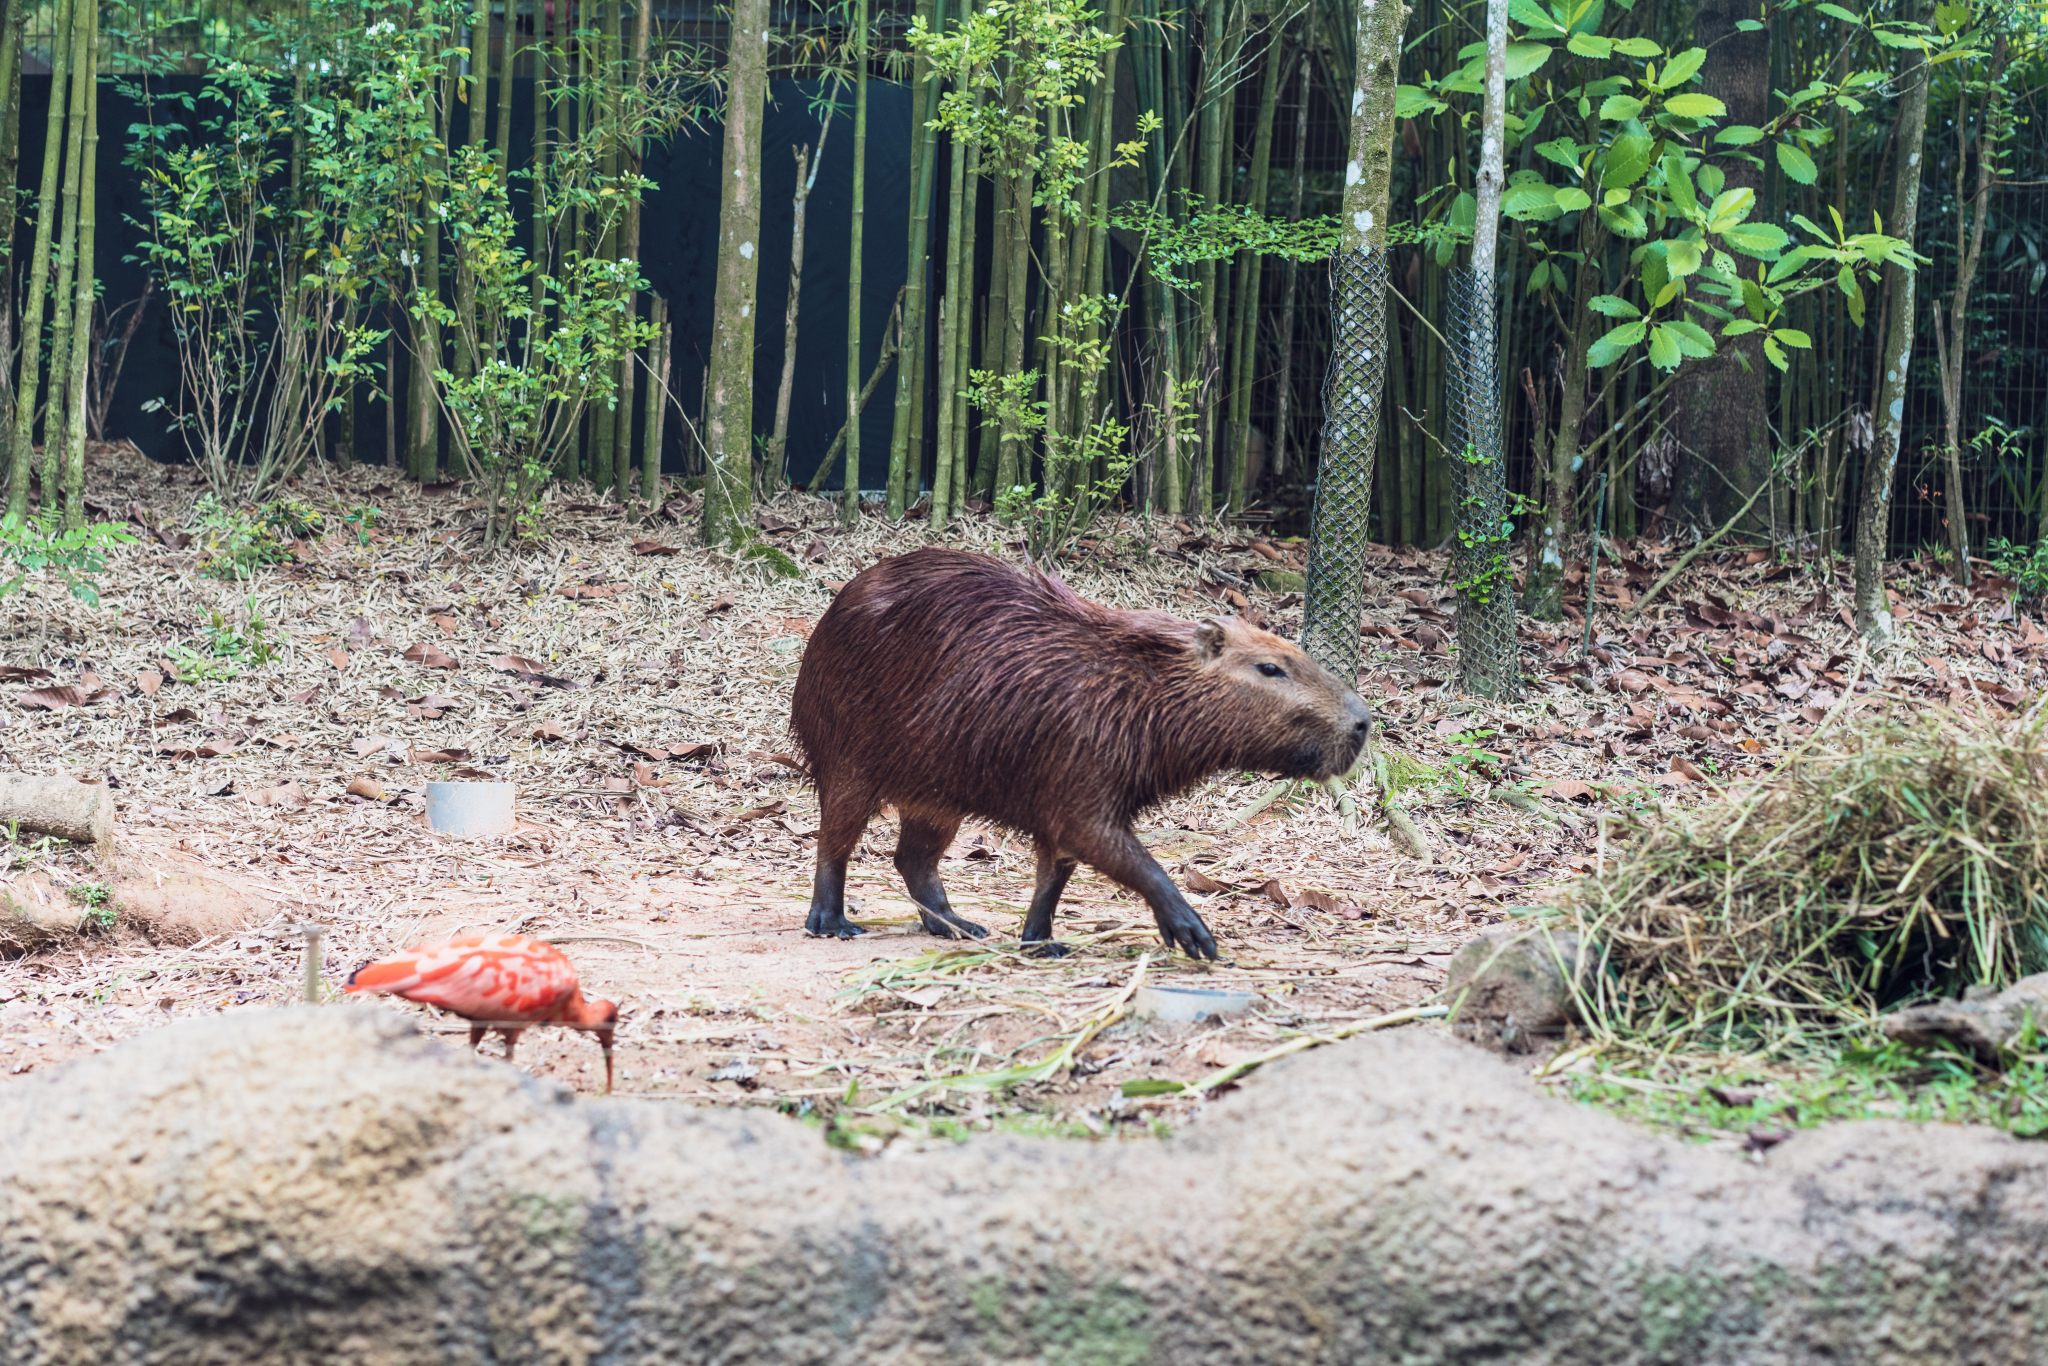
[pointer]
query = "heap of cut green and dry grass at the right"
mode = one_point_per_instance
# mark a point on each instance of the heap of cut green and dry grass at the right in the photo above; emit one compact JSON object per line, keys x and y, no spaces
{"x":1885,"y":861}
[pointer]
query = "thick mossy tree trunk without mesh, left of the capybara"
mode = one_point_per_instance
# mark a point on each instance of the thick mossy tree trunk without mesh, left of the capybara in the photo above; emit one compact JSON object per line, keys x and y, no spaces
{"x":730,"y":374}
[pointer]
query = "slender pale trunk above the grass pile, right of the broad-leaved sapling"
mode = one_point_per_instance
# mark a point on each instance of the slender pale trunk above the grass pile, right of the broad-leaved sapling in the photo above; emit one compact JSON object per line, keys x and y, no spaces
{"x":1875,"y":505}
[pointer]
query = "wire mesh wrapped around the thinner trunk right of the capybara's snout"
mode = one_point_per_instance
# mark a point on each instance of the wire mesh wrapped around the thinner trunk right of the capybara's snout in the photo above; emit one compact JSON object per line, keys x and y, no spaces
{"x":1480,"y":566}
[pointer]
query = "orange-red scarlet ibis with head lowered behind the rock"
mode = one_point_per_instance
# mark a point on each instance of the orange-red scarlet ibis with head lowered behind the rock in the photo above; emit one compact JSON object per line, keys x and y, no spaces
{"x":503,"y":982}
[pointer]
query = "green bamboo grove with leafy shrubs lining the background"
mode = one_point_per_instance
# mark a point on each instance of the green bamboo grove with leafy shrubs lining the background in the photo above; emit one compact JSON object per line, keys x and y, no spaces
{"x":1764,"y":267}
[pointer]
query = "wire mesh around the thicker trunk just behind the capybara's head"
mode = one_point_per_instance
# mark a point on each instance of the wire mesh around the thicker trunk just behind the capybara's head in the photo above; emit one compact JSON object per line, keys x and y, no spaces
{"x":1353,"y":396}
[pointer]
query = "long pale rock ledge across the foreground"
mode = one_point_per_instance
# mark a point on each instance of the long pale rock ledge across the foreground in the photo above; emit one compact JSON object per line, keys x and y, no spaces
{"x":329,"y":1187}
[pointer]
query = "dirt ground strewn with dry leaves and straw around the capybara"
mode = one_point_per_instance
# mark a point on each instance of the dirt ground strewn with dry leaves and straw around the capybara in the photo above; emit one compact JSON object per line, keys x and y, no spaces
{"x":636,"y":691}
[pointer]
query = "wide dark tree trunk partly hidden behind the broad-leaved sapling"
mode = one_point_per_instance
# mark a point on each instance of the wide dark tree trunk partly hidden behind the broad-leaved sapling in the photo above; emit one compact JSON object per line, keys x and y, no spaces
{"x":1719,"y":404}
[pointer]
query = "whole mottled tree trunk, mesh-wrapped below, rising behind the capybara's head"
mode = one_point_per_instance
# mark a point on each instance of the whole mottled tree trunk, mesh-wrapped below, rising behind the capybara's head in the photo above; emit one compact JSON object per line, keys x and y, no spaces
{"x":1359,"y":364}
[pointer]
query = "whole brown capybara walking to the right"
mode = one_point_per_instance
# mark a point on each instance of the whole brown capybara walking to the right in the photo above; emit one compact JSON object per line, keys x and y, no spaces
{"x":957,"y":685}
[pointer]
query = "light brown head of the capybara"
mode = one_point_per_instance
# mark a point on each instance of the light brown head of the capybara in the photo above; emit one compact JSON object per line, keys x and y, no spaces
{"x":1297,"y":718}
